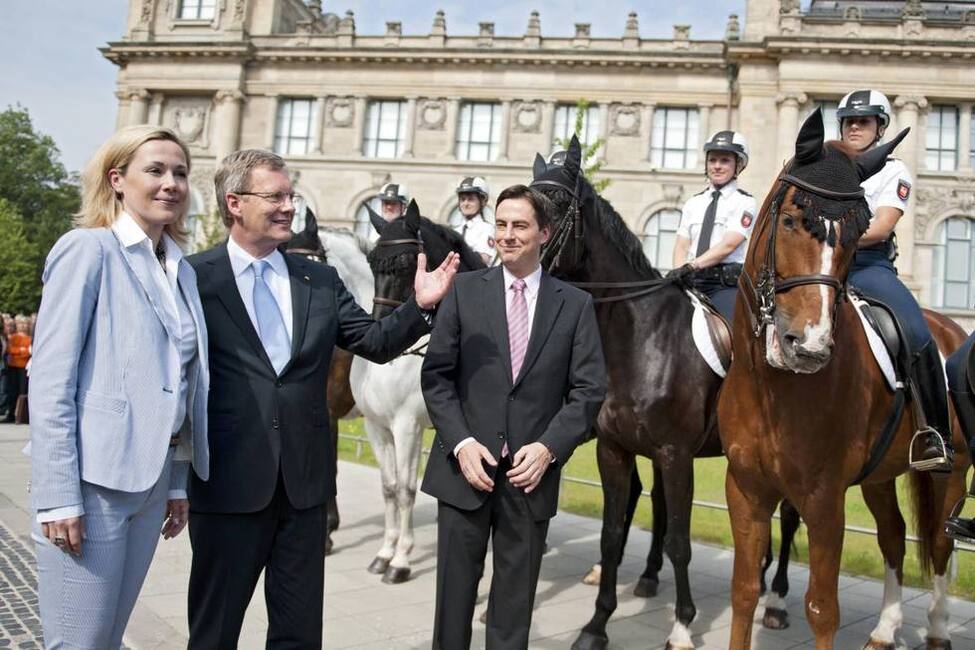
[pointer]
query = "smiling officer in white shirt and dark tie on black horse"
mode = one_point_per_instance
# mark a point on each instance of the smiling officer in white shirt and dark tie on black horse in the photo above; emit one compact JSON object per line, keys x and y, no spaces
{"x":715,"y":224}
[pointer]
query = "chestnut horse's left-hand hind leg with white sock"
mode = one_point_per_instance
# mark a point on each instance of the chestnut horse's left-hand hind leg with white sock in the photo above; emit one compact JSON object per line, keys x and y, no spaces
{"x":881,"y":499}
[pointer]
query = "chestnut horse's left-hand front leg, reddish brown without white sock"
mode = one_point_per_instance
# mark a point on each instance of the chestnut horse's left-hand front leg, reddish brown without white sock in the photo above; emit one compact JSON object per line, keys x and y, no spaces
{"x":751,"y":529}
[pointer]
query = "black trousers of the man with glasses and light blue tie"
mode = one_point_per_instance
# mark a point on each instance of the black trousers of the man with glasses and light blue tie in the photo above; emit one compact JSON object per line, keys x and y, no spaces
{"x":229,"y":553}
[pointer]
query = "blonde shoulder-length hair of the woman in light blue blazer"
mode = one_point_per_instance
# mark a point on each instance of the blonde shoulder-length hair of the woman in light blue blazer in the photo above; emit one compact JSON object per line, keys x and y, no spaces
{"x":100,"y":204}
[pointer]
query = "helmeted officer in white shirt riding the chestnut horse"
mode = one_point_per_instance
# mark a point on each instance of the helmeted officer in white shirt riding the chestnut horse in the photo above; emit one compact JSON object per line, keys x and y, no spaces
{"x":863,"y":117}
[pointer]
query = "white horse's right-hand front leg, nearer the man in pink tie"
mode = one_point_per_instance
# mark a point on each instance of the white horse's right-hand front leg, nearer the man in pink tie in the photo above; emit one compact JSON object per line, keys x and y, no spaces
{"x":408,"y":437}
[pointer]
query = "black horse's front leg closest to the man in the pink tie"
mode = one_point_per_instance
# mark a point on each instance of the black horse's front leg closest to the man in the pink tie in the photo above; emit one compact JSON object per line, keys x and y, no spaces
{"x":616,"y":471}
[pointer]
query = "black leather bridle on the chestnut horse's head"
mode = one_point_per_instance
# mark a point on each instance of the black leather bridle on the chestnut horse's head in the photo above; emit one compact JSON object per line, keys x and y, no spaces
{"x":761,"y":294}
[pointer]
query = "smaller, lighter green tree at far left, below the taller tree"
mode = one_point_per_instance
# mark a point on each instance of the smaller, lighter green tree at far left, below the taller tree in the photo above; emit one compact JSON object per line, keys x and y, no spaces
{"x":19,"y":289}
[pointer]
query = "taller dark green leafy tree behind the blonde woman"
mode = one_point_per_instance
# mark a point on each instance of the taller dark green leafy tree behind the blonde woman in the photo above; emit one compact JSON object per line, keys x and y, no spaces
{"x":41,"y":194}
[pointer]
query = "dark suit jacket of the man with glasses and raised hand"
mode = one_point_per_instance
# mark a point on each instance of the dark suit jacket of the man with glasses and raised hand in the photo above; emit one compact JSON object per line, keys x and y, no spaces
{"x":261,"y":423}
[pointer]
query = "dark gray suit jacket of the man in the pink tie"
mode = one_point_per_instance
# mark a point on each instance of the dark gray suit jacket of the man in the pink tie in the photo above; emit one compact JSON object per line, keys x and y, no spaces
{"x":469,"y":391}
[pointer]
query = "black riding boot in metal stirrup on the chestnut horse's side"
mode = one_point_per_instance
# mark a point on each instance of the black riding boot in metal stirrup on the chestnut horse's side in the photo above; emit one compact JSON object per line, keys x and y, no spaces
{"x":933,"y":440}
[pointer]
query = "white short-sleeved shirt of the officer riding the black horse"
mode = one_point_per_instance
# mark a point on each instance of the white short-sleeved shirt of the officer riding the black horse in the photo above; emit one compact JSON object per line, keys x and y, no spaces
{"x":736,"y":213}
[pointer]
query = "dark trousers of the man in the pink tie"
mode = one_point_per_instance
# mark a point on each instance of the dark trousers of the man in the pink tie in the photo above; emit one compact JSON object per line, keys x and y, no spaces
{"x":518,"y":542}
